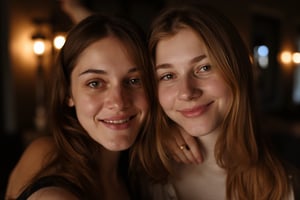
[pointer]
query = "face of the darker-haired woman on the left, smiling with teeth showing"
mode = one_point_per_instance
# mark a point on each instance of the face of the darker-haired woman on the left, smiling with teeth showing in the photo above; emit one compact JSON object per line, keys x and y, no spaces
{"x":107,"y":93}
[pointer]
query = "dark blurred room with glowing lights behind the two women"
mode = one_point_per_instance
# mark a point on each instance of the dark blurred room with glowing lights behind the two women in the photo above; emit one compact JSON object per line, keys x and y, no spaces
{"x":271,"y":28}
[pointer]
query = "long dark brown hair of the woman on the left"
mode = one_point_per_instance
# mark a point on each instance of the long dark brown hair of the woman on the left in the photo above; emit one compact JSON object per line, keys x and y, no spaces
{"x":76,"y":158}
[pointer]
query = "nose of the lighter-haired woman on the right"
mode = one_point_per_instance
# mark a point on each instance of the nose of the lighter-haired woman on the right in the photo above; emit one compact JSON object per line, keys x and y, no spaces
{"x":187,"y":89}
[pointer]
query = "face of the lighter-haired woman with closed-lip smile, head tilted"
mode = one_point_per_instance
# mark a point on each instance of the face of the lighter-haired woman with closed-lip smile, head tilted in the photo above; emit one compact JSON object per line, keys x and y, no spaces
{"x":191,"y":91}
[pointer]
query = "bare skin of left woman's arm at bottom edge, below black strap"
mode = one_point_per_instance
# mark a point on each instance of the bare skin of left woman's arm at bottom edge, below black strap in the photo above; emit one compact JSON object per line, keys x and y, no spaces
{"x":52,"y":193}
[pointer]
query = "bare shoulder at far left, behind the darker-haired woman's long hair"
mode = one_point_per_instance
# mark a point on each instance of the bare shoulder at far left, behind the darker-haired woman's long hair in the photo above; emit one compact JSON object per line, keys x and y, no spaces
{"x":35,"y":156}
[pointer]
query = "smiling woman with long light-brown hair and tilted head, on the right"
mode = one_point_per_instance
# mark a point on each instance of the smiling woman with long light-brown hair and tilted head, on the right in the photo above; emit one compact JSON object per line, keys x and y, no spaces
{"x":206,"y":89}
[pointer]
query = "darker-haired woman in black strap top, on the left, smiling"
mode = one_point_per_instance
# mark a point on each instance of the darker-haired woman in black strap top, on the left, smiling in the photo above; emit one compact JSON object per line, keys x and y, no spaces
{"x":99,"y":105}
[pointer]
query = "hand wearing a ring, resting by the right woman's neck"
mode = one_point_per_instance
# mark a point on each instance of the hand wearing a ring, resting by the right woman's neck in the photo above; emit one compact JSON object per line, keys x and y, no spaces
{"x":183,"y":148}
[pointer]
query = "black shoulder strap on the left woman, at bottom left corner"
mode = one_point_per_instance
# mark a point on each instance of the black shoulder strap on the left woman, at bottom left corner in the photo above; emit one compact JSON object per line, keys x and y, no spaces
{"x":49,"y":181}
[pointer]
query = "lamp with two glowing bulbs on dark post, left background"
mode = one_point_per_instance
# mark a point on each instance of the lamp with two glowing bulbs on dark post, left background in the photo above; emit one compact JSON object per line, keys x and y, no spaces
{"x":42,"y":39}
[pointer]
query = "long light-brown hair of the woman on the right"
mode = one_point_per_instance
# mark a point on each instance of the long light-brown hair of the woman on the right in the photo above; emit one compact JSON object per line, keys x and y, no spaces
{"x":253,"y":171}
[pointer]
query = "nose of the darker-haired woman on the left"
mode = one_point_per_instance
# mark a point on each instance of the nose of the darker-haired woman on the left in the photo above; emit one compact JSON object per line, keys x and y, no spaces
{"x":117,"y":98}
